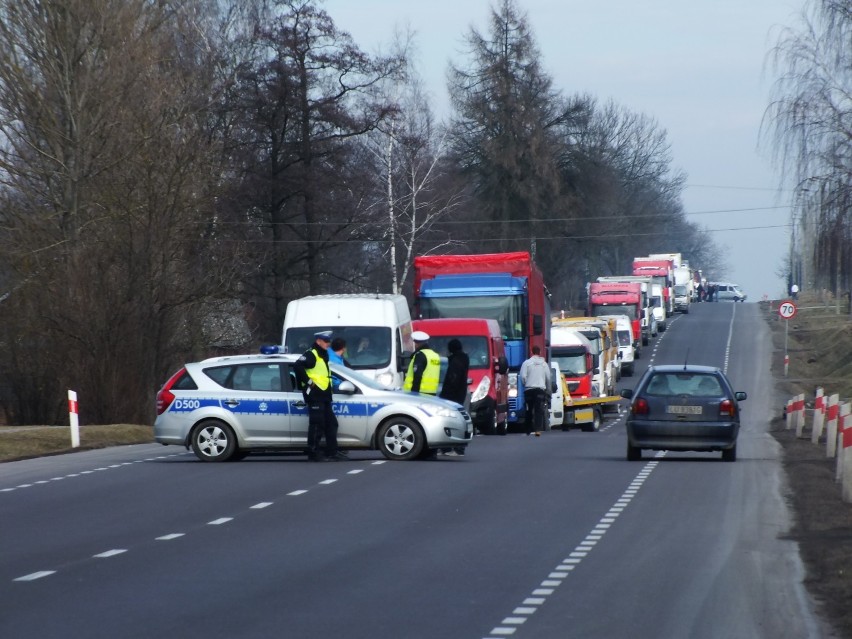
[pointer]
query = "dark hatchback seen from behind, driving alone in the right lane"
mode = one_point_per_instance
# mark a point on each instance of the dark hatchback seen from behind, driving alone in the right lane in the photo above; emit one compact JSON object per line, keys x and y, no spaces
{"x":683,"y":407}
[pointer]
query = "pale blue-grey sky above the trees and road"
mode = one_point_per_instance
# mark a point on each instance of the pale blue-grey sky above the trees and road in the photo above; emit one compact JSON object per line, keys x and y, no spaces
{"x":699,"y":68}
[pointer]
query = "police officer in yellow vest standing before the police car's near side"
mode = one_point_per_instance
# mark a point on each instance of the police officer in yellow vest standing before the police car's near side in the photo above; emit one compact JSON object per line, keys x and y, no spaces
{"x":314,"y":379}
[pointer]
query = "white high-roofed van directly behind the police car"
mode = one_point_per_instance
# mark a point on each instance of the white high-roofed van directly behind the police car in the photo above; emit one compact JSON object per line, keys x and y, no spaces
{"x":376,"y":327}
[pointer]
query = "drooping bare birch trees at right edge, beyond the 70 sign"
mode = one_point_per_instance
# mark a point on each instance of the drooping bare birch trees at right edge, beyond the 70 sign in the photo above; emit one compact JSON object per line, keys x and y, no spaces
{"x":809,"y":124}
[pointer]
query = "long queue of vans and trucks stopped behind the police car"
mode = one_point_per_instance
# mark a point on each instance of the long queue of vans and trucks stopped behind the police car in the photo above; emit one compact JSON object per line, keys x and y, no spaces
{"x":498,"y":306}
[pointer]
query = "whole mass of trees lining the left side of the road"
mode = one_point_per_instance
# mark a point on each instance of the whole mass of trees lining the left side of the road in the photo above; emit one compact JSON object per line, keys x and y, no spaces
{"x":173,"y":173}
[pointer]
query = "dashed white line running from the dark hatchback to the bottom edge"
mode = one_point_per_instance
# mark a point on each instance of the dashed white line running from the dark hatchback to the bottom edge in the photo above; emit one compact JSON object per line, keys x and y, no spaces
{"x":548,"y":586}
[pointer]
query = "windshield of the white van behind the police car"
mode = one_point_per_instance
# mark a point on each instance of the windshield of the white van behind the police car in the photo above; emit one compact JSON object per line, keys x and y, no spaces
{"x":367,"y":347}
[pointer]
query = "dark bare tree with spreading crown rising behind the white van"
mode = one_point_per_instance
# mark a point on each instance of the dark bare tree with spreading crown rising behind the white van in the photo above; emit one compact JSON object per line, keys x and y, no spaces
{"x":304,"y":94}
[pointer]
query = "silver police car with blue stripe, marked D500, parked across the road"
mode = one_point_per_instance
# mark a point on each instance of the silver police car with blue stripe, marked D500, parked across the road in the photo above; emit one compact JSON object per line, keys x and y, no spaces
{"x":226,"y":407}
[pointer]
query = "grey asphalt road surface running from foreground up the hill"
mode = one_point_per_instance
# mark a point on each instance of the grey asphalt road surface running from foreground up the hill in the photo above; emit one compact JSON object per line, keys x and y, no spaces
{"x":552,"y":536}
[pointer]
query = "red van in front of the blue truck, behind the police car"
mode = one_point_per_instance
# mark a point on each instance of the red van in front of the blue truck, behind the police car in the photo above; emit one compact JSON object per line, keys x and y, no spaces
{"x":489,"y":369}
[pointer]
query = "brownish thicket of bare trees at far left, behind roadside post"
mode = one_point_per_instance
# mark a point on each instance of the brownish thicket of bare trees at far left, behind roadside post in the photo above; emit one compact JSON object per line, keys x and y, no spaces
{"x":107,"y":167}
